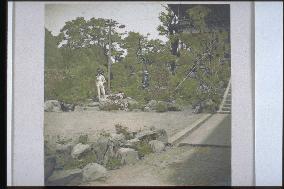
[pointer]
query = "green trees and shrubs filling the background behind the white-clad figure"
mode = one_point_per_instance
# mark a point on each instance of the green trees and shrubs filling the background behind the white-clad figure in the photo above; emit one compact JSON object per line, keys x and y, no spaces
{"x":190,"y":67}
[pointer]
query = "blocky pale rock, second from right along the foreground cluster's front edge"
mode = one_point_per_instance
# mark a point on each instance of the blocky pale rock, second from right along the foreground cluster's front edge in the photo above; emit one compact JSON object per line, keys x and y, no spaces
{"x":127,"y":155}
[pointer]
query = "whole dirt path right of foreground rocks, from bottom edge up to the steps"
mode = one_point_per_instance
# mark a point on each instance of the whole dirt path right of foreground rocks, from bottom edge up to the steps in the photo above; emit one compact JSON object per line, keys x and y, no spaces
{"x":182,"y":166}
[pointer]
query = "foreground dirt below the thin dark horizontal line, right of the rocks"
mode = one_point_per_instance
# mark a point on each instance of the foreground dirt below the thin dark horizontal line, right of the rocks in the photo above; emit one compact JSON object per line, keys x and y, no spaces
{"x":178,"y":166}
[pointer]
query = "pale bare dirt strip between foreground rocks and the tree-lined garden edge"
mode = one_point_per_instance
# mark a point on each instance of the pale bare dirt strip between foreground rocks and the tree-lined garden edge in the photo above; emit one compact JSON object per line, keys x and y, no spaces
{"x":75,"y":123}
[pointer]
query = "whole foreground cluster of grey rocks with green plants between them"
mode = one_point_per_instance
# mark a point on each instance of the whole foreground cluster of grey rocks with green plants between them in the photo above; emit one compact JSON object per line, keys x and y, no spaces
{"x":101,"y":152}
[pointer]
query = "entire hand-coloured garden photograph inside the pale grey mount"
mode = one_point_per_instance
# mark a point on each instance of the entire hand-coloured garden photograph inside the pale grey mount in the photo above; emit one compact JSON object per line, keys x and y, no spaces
{"x":137,"y":94}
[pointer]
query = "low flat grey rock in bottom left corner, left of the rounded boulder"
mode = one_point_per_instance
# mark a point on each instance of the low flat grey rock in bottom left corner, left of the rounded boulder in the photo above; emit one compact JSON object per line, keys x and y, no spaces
{"x":65,"y":177}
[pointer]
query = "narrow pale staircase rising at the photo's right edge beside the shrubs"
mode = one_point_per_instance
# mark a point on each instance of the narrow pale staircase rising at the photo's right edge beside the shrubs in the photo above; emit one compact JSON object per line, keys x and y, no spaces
{"x":225,"y":106}
